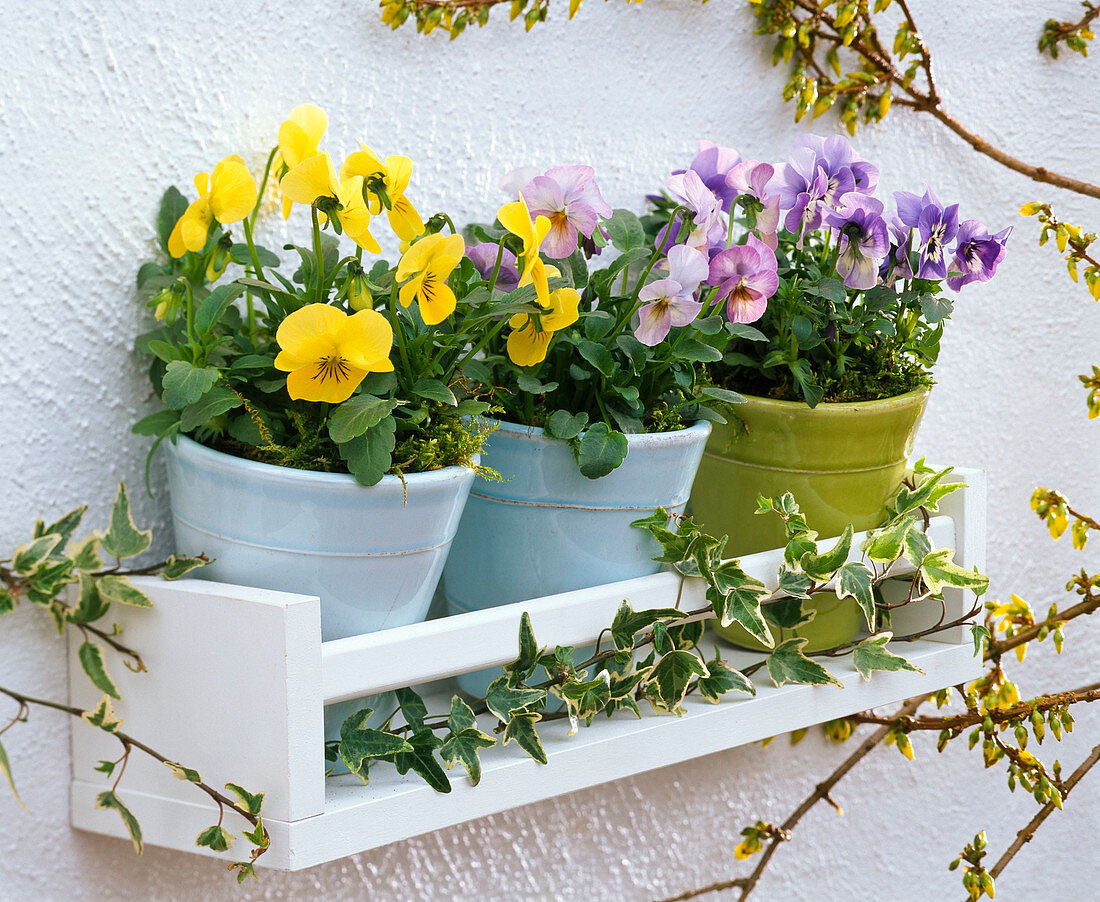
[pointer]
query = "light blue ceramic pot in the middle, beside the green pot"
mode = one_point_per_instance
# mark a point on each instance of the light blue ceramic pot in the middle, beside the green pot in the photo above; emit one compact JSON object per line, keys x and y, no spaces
{"x":548,"y":530}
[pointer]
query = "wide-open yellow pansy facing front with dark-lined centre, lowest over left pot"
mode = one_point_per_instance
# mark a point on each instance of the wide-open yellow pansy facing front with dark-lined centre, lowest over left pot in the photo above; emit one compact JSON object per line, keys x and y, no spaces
{"x":329,"y":354}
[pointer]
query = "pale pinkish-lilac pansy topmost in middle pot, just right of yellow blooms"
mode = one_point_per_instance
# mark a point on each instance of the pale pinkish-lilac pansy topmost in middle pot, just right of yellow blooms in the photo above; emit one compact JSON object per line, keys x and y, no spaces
{"x":569,"y":197}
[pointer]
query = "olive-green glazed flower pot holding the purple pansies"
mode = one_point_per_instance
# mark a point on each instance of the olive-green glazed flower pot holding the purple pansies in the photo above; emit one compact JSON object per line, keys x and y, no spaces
{"x":842,"y":463}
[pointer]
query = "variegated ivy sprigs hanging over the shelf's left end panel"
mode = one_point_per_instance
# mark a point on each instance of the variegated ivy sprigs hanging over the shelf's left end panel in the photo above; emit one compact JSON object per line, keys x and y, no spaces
{"x":42,"y":574}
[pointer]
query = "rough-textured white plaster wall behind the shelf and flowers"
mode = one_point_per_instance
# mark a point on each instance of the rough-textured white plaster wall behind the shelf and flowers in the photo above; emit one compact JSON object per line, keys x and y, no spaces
{"x":103,"y":105}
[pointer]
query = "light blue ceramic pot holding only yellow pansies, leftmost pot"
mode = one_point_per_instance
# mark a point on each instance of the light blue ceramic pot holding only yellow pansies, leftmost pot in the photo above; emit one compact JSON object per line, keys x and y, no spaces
{"x":373,"y":555}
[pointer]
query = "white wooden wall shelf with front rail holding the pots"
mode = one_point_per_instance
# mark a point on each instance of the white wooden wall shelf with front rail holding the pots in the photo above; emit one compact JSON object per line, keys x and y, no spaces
{"x":238,"y":679}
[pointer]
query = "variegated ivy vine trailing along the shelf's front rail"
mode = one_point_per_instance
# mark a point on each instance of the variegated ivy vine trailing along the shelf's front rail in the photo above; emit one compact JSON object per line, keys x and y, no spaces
{"x":654,"y":656}
